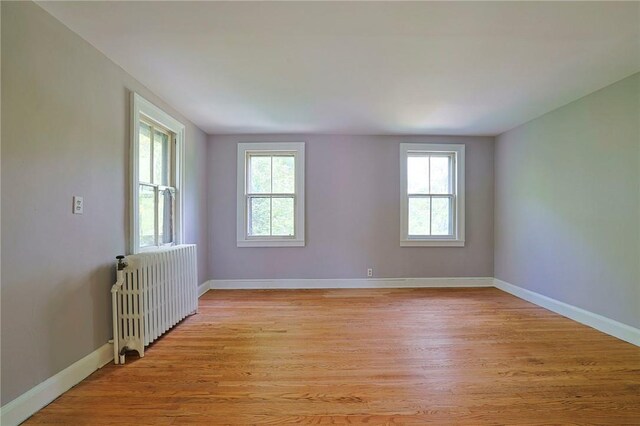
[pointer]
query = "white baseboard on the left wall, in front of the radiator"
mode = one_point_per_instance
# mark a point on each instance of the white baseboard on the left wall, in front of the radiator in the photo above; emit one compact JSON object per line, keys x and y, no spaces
{"x":27,"y":404}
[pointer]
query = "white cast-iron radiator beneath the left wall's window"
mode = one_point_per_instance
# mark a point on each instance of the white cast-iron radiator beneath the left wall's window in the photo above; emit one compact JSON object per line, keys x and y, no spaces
{"x":153,"y":292}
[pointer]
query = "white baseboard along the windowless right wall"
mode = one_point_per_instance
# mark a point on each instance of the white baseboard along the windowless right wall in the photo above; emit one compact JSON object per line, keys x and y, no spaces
{"x":606,"y":325}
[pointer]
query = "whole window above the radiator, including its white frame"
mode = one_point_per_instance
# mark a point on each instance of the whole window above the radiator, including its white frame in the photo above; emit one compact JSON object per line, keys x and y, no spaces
{"x":156,"y":144}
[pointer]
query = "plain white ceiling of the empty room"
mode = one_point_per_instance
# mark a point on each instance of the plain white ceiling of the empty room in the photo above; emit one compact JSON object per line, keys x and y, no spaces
{"x":363,"y":67}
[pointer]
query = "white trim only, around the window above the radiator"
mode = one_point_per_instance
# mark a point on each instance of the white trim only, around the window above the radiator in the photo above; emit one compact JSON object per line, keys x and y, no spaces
{"x":142,"y":108}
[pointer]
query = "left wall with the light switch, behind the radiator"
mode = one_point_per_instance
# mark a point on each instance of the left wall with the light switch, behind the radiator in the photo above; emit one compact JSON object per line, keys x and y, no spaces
{"x":65,"y":112}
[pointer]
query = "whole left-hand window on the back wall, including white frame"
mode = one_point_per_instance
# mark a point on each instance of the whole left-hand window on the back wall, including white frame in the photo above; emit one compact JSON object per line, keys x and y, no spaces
{"x":270,"y":195}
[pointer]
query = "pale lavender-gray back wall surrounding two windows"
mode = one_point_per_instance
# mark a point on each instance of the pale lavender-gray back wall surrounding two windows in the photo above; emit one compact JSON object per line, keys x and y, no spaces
{"x":352,"y":213}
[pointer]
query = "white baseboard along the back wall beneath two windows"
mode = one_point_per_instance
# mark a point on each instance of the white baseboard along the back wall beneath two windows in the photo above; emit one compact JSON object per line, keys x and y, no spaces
{"x":332,"y":283}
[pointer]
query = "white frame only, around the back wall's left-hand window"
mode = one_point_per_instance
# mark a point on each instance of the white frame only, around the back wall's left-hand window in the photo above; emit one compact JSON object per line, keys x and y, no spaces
{"x":270,"y":148}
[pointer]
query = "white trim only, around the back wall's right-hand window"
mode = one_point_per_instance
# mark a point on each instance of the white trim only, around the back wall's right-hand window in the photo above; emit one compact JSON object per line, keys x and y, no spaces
{"x":458,"y":215}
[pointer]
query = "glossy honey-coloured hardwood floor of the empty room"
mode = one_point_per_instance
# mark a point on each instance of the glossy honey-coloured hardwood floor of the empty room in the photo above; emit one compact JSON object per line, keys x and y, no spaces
{"x":402,"y":356}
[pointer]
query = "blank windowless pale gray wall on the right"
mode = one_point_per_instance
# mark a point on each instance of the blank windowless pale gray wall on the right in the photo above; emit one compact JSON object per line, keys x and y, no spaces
{"x":567,"y":204}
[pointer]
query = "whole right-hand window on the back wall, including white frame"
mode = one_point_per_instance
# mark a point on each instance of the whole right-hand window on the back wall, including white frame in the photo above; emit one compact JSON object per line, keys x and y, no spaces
{"x":432,"y":201}
